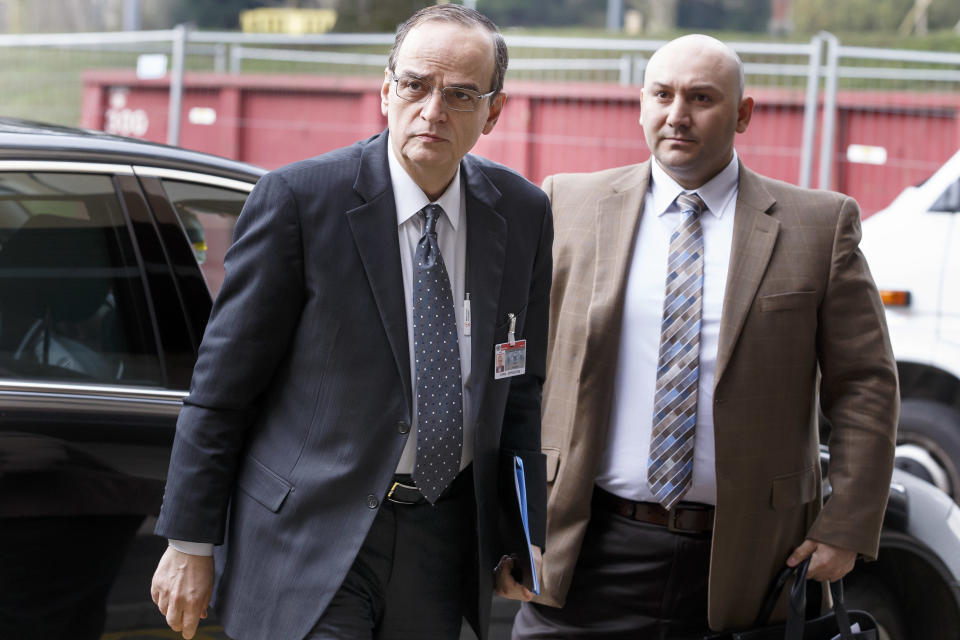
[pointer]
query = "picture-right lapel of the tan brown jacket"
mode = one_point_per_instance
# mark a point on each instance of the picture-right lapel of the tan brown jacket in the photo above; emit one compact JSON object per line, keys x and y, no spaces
{"x":754,"y":236}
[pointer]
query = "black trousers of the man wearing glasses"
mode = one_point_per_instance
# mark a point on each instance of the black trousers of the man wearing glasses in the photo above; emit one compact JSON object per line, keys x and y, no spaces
{"x":415,"y":575}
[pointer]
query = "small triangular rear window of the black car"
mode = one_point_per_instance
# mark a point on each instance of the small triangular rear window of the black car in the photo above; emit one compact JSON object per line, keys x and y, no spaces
{"x":207,"y":215}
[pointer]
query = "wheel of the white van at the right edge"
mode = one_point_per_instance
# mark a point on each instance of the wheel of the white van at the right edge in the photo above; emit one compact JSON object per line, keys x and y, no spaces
{"x":928,"y":444}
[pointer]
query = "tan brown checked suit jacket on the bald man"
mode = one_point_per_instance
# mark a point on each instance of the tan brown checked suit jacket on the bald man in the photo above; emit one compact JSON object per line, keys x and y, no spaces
{"x":799,"y":299}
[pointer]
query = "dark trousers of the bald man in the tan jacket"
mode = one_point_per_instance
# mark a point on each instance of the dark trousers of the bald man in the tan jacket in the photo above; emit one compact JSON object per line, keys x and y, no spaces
{"x":632,"y":581}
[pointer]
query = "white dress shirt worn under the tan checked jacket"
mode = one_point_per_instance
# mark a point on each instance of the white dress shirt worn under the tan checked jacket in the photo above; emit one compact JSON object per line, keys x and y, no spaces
{"x":623,"y":467}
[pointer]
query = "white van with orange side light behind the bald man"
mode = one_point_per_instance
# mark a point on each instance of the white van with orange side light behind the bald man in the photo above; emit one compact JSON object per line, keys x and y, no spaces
{"x":913,"y":248}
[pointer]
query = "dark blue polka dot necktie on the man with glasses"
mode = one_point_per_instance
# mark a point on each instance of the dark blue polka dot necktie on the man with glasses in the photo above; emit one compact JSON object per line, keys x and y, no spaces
{"x":439,"y":394}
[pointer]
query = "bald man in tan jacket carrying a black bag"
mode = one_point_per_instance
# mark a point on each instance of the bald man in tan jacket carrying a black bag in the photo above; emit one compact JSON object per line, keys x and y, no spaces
{"x":786,"y":310}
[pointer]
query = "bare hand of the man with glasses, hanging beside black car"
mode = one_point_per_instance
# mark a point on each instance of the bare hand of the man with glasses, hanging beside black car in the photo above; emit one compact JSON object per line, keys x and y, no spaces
{"x":181,"y":589}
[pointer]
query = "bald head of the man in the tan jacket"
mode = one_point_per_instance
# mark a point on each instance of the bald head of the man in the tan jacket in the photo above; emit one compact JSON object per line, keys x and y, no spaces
{"x":692,"y":106}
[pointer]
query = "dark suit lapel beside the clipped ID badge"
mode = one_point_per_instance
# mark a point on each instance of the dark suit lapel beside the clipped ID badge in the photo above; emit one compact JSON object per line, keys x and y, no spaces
{"x":486,"y":253}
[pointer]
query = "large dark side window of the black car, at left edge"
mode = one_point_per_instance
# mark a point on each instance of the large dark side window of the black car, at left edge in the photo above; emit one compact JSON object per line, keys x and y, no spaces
{"x":72,"y":302}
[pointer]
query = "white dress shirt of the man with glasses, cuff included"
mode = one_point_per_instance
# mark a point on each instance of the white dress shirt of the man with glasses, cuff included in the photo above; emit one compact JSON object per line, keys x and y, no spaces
{"x":452,"y":237}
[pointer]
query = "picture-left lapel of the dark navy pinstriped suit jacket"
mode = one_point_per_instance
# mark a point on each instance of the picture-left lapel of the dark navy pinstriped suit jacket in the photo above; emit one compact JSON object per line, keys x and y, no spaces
{"x":374,"y":227}
